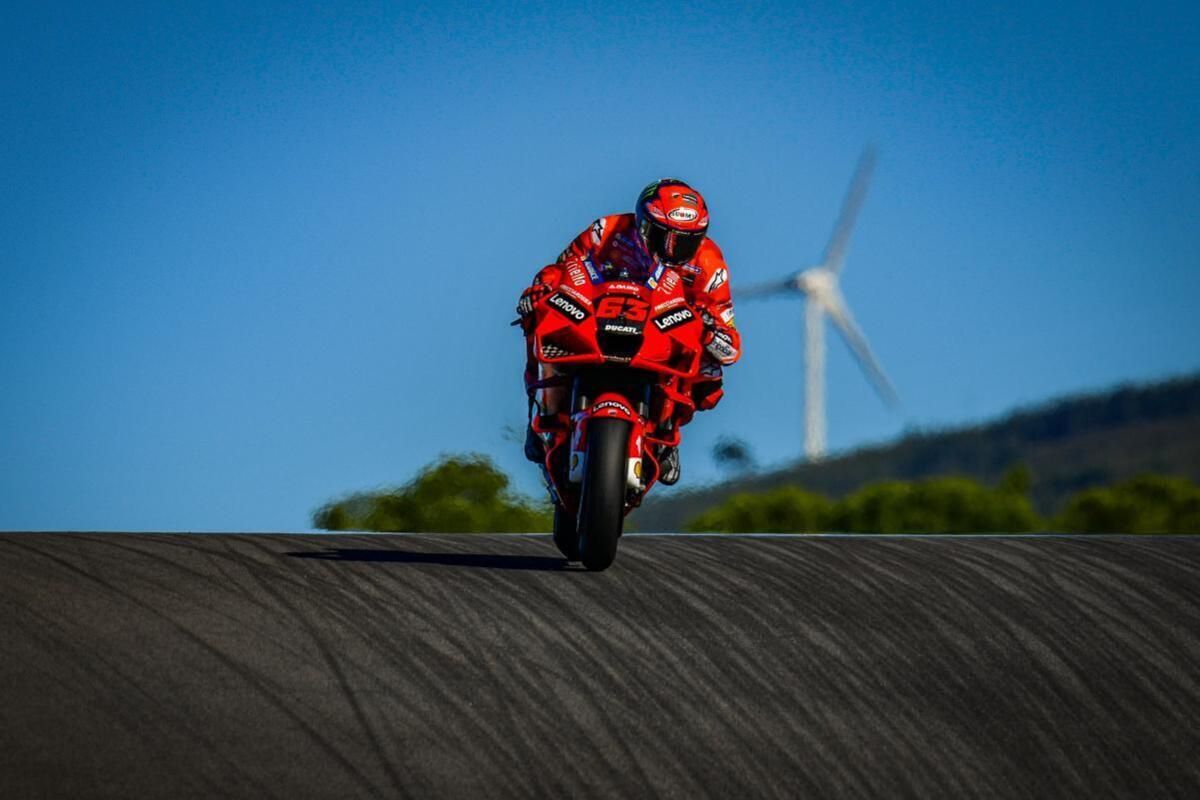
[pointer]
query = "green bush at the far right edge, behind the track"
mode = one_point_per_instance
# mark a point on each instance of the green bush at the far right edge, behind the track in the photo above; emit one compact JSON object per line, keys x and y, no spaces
{"x":1151,"y":504}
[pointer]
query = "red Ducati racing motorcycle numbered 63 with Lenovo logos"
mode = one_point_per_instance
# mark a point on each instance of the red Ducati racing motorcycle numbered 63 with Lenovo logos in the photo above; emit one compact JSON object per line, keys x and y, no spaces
{"x":629,"y":352}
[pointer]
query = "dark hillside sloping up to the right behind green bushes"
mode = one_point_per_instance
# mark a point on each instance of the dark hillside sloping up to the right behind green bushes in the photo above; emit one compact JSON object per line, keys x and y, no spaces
{"x":1069,"y":444}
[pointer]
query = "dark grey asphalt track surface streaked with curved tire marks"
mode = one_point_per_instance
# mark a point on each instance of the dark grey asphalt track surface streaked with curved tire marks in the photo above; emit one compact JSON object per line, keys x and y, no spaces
{"x":178,"y":666}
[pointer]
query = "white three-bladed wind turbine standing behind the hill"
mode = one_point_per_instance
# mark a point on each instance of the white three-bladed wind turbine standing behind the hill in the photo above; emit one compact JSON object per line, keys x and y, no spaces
{"x":819,"y":285}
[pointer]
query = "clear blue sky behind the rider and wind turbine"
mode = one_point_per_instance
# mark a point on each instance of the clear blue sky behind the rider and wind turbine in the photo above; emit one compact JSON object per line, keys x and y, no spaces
{"x":255,"y":258}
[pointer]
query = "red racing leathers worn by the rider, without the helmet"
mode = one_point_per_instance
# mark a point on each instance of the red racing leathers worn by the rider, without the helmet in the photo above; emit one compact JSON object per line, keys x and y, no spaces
{"x":611,"y":249}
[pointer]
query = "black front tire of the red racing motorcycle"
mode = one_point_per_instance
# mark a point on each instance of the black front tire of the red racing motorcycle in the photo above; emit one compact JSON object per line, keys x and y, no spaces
{"x":603,"y":500}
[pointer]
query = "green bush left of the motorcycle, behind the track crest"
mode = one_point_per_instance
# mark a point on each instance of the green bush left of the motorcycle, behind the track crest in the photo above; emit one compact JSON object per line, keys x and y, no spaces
{"x":455,"y":495}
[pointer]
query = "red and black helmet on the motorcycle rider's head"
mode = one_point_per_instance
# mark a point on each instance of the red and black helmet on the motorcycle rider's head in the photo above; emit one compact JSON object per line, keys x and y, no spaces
{"x":673,"y":220}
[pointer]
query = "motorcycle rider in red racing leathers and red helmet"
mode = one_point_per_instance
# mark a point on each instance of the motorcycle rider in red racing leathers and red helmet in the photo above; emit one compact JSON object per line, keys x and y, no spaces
{"x":668,"y":231}
